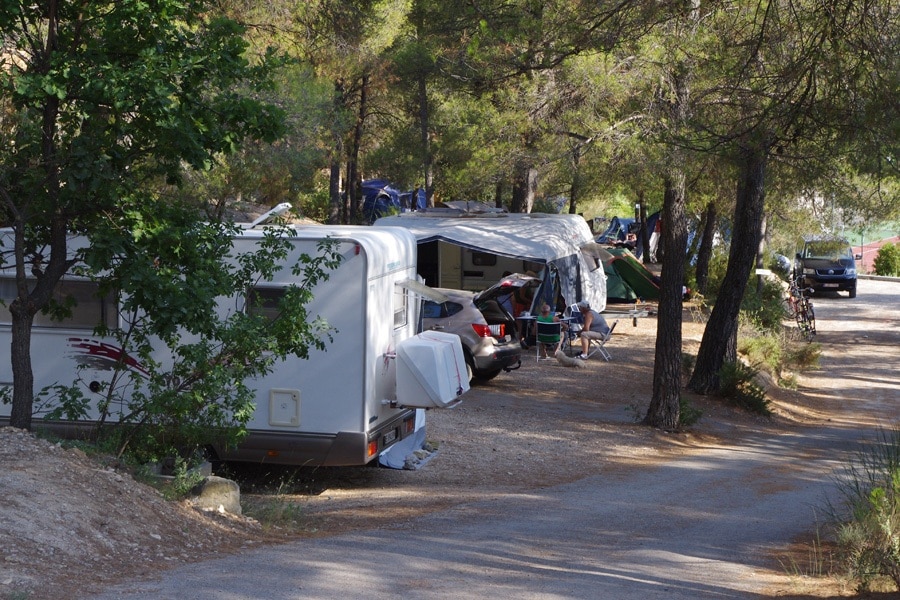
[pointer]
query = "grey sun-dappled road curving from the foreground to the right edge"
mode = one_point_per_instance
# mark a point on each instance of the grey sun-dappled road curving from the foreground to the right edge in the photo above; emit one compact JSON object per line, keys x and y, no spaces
{"x":709,"y":521}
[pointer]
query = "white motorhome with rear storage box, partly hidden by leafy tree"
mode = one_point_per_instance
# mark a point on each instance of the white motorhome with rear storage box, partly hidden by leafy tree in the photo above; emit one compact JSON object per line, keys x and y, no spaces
{"x":342,"y":406}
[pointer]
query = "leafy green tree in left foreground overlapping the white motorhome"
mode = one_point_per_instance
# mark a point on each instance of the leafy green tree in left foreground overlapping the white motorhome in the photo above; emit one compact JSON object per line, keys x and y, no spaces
{"x":114,"y":96}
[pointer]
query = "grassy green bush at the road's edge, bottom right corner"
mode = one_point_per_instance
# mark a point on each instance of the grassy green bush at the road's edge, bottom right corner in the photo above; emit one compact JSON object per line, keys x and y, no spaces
{"x":867,"y":518}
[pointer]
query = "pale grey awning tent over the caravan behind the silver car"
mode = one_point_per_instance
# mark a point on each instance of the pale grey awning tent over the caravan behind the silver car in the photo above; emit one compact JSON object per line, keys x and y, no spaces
{"x":561,"y":242}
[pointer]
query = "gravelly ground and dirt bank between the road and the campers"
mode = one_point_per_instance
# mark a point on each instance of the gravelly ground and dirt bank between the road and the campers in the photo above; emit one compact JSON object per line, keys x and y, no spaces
{"x":70,"y":524}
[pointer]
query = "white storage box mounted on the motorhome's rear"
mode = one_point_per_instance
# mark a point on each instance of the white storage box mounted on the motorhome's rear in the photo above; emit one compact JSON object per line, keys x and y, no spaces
{"x":423,"y":377}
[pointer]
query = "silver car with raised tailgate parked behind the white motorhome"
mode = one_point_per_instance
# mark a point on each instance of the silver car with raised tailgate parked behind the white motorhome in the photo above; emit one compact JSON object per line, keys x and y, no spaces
{"x":487,"y":330}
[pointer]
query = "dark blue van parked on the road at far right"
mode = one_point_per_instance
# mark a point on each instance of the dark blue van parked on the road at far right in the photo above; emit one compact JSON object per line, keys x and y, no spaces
{"x":828,"y":264}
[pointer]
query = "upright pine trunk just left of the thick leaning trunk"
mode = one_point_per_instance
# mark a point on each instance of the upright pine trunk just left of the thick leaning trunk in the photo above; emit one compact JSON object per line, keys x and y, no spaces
{"x":665,"y":405}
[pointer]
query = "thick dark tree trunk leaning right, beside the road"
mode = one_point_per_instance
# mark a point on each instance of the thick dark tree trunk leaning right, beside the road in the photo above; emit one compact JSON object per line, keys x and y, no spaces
{"x":720,"y":336}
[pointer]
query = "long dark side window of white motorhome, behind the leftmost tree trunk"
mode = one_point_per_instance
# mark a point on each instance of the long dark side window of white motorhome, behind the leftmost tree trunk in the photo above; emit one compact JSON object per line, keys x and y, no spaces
{"x":88,"y":311}
